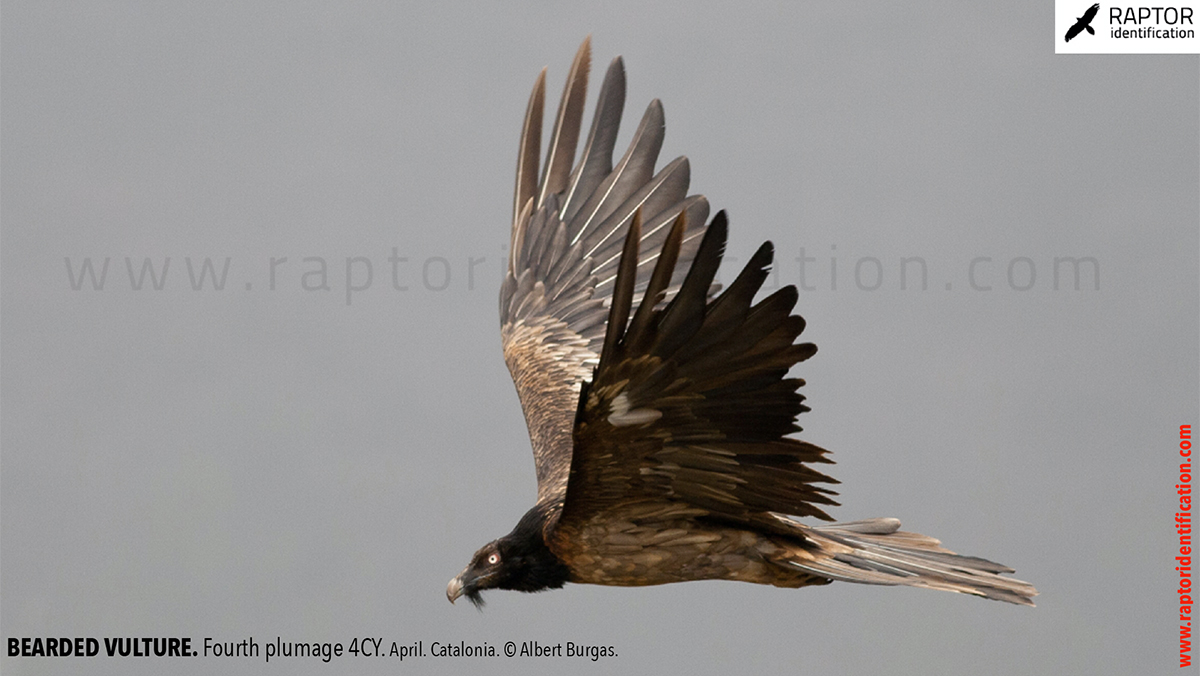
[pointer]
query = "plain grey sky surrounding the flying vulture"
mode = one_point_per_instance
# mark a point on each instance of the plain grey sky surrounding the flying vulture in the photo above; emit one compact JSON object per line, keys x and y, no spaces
{"x":286,"y":464}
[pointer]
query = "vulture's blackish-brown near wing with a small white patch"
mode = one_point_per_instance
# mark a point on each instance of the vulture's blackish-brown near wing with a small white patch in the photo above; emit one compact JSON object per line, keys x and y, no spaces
{"x":692,"y":405}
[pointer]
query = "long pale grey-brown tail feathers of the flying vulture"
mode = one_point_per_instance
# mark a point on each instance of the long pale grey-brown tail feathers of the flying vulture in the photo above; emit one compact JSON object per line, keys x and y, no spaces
{"x":875,"y":552}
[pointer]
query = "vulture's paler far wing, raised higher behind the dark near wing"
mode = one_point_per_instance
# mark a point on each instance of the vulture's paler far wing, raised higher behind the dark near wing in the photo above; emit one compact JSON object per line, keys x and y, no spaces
{"x":568,"y":230}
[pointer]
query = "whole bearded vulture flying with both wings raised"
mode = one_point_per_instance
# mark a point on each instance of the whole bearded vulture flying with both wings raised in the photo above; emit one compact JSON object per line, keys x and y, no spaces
{"x":659,"y":406}
